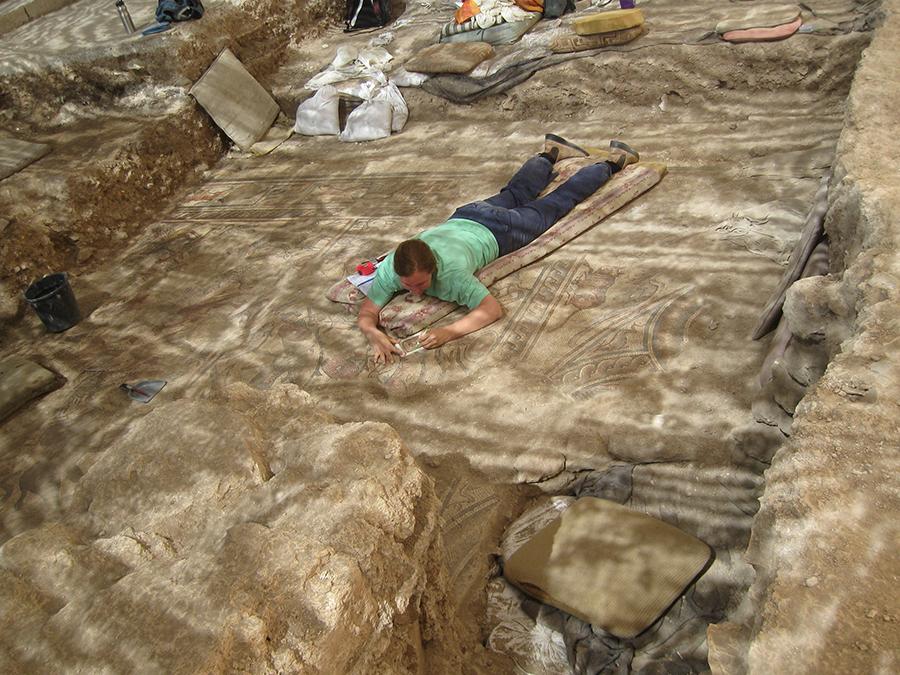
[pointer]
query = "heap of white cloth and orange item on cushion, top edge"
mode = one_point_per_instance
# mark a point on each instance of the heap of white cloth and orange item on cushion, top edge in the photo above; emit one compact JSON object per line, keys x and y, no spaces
{"x":493,"y":21}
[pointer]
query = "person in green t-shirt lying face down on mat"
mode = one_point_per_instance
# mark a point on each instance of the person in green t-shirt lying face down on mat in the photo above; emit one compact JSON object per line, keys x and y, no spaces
{"x":442,"y":261}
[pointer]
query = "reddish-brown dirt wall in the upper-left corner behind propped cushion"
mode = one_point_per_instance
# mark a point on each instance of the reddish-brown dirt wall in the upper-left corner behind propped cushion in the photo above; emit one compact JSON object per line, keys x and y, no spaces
{"x":124,"y":132}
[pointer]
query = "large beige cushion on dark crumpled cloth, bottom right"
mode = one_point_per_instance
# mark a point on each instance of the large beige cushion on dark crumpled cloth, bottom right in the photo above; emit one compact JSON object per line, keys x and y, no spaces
{"x":608,"y":565}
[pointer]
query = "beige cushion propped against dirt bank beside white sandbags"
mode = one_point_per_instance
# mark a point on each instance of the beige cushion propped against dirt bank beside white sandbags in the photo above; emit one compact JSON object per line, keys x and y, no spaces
{"x":238,"y":104}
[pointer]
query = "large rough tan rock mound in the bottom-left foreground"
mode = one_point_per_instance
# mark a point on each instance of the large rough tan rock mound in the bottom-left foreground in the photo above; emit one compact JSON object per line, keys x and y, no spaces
{"x":281,"y":542}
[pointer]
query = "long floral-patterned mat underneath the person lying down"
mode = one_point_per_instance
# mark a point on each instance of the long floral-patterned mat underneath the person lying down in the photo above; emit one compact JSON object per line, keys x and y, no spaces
{"x":402,"y":317}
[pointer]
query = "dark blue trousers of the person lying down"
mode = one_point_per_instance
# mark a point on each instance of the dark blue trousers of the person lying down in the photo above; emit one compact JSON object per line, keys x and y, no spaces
{"x":517,"y":217}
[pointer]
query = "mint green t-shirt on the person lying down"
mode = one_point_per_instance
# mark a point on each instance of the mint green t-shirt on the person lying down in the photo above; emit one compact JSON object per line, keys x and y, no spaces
{"x":461,"y":247}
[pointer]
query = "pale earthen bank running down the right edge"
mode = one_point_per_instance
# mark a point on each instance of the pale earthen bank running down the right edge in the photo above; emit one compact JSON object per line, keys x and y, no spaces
{"x":824,"y":541}
